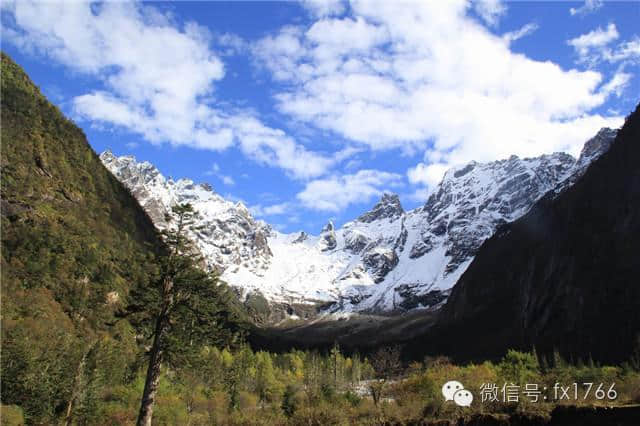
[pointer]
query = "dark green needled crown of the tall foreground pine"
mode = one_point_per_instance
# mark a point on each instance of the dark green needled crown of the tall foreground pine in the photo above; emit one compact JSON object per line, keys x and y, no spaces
{"x":200,"y":311}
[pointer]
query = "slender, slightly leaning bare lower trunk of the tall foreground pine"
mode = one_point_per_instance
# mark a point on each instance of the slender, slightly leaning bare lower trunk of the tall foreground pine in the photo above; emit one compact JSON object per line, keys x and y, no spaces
{"x":155,"y":359}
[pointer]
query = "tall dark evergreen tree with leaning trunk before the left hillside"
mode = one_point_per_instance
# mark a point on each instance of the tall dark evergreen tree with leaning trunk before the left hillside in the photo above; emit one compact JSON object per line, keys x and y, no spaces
{"x":192,"y":309}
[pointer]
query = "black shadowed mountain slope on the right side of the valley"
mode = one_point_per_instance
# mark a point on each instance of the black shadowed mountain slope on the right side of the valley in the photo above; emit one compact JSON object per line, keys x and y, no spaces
{"x":564,"y":276}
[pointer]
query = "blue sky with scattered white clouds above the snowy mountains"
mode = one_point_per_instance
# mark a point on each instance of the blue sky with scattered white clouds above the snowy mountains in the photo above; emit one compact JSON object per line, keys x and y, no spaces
{"x":309,"y":111}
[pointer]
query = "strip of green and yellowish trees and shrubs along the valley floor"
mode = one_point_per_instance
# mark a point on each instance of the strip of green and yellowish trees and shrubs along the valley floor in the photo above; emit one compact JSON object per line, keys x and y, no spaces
{"x":237,"y":386}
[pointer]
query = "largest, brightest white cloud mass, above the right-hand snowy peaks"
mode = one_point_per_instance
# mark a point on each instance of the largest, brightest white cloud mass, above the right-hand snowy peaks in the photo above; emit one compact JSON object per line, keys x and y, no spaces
{"x":426,"y":77}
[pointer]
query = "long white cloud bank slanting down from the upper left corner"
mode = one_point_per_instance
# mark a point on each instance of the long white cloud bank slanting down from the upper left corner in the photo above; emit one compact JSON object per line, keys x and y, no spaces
{"x":159,"y":78}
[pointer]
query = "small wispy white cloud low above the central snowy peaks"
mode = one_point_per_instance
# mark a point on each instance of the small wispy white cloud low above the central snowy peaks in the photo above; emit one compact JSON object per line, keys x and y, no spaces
{"x":335,"y":193}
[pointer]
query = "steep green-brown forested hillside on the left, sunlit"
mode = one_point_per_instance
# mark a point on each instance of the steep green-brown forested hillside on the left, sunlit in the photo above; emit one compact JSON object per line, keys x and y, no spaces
{"x":74,"y":243}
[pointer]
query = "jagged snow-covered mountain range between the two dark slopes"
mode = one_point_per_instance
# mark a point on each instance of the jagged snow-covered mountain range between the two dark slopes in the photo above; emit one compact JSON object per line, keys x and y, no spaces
{"x":387,"y":259}
